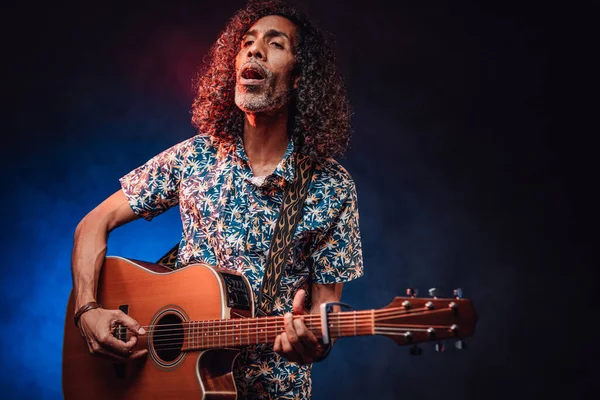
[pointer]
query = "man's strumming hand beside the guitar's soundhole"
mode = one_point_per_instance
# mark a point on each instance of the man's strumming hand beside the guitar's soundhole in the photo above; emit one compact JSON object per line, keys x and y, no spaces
{"x":98,"y":325}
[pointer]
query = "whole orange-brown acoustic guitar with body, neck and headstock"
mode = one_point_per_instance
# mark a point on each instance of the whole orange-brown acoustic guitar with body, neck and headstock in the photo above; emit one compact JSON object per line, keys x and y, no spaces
{"x":197,"y":318}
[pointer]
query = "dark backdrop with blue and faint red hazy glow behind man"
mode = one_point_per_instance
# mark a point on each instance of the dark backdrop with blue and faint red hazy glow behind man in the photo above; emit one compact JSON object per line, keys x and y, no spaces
{"x":473,"y":153}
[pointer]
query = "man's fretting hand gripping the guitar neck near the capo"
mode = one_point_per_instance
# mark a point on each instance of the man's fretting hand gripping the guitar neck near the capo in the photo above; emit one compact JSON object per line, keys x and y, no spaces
{"x":298,"y":344}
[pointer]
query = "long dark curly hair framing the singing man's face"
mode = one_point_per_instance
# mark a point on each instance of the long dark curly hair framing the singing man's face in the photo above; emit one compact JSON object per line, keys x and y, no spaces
{"x":319,"y":117}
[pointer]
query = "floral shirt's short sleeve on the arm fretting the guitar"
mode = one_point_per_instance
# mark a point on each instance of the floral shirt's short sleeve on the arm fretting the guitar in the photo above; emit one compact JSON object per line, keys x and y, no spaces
{"x":338,"y":253}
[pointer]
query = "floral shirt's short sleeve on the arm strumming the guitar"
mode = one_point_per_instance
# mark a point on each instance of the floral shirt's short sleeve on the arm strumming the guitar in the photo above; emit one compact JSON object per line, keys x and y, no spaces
{"x":153,"y":187}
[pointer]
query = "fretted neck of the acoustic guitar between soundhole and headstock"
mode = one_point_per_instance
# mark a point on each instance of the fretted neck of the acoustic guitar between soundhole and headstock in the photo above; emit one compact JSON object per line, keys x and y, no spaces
{"x":247,"y":331}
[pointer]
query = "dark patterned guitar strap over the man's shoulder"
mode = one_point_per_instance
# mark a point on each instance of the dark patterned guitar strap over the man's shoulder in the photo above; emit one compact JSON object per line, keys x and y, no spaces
{"x":290,"y":214}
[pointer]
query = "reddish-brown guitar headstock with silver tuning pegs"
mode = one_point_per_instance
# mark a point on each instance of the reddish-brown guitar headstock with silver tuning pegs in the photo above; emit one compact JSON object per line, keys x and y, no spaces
{"x":410,"y":320}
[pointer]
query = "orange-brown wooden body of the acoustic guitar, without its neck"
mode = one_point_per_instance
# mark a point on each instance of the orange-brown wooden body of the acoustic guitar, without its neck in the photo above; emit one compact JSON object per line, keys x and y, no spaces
{"x":155,"y":296}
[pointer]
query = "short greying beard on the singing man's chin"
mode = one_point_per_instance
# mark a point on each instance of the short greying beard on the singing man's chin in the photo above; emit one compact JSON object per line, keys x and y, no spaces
{"x":268,"y":96}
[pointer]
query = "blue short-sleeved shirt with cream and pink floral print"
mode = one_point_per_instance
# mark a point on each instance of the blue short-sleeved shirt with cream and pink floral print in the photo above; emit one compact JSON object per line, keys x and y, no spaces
{"x":228,"y":221}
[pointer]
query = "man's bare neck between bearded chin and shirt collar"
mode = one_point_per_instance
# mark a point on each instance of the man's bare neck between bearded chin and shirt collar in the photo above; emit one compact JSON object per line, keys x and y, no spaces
{"x":265,"y":139}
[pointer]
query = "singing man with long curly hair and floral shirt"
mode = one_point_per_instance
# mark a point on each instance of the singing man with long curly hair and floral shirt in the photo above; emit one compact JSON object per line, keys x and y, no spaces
{"x":271,"y":90}
